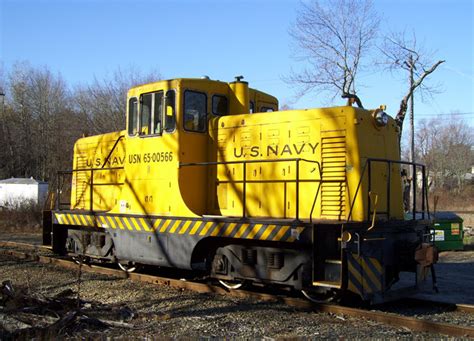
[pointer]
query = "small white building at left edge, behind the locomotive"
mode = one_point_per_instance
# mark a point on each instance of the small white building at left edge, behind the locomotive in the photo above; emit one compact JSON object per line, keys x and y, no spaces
{"x":17,"y":191}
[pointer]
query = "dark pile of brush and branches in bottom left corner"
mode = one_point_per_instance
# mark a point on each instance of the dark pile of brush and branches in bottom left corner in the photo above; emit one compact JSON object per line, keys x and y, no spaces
{"x":25,"y":316}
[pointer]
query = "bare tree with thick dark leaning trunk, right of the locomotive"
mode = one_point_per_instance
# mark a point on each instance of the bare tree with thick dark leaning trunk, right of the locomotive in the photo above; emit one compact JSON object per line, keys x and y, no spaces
{"x":406,"y":55}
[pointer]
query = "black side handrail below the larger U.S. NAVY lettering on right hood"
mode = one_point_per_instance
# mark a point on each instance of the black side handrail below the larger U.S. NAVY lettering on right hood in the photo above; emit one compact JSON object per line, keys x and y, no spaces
{"x":245,"y":181}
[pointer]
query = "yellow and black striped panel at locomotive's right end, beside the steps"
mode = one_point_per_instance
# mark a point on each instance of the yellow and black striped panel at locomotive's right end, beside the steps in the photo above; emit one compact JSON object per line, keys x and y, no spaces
{"x":365,"y":275}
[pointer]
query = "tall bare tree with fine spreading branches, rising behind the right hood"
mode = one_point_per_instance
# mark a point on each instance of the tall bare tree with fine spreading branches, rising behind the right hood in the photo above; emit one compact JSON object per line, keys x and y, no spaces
{"x":334,"y":38}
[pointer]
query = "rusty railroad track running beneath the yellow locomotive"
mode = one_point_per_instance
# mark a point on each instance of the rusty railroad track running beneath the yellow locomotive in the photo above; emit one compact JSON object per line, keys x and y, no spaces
{"x":31,"y":252}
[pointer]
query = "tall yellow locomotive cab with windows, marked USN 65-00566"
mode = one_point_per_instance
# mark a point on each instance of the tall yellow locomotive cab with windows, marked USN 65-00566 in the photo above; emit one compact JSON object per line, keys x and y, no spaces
{"x":167,"y":125}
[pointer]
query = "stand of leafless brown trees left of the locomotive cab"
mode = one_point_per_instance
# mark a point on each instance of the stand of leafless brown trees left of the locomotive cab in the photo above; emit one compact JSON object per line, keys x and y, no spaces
{"x":41,"y":120}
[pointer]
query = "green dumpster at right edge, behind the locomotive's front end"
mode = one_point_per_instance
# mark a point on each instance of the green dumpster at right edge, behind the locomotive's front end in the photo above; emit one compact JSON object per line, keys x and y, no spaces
{"x":448,"y":231}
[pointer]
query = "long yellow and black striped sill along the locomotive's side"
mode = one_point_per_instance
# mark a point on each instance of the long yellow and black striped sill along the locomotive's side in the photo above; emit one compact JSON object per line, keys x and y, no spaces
{"x":183,"y":226}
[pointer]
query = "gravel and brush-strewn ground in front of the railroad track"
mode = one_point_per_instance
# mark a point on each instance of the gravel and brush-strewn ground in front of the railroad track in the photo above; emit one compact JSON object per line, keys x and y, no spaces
{"x":144,"y":310}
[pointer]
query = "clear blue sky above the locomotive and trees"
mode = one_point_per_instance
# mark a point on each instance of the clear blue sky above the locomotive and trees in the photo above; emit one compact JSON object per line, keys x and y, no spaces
{"x":222,"y":39}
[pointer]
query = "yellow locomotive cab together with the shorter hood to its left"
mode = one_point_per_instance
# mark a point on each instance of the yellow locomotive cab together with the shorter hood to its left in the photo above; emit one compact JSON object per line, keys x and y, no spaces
{"x":167,"y":123}
